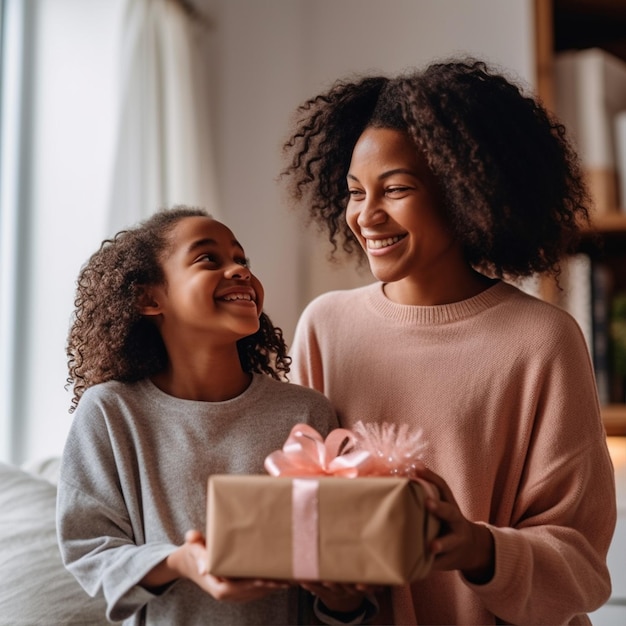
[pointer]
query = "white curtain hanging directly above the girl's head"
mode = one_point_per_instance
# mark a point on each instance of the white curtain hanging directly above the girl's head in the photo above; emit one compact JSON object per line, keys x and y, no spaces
{"x":164,"y":146}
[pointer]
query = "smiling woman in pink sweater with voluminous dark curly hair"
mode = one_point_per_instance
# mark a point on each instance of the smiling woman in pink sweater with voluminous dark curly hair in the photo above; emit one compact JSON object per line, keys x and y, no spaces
{"x":451,"y":180}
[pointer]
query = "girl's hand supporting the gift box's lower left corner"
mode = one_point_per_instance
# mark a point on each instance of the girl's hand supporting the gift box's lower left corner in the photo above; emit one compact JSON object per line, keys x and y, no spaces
{"x":190,"y":561}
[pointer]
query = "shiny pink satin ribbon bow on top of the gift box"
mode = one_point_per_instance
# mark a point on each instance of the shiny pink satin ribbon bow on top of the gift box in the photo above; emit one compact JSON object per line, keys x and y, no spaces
{"x":306,"y":453}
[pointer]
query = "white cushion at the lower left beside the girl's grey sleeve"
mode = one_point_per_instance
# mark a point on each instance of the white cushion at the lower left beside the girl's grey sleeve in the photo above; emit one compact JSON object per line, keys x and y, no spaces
{"x":36,"y":588}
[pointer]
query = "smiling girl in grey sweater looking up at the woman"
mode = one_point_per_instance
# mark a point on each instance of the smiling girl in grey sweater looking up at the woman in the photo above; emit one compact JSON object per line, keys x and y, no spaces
{"x":177,"y":375}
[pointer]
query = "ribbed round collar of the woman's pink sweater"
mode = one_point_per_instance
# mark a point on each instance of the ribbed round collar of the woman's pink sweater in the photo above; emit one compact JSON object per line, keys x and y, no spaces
{"x":438,"y":314}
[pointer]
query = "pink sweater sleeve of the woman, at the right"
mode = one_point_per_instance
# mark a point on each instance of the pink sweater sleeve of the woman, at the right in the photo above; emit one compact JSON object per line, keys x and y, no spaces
{"x":551,"y":560}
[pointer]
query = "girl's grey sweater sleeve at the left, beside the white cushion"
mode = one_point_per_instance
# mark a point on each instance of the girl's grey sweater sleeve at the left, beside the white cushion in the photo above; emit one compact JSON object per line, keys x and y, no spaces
{"x":96,"y":538}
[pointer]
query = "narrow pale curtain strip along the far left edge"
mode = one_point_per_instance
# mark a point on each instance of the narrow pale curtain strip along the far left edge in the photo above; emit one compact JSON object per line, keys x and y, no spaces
{"x":17,"y":21}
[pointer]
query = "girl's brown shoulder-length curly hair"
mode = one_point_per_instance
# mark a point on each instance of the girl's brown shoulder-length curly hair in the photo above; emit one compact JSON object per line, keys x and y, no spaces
{"x":110,"y":339}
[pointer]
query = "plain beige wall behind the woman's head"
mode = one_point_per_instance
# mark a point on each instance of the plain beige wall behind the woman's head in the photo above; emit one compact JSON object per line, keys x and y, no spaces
{"x":274,"y":54}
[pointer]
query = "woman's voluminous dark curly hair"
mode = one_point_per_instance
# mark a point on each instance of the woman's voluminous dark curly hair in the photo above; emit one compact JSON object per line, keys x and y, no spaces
{"x":512,"y":185}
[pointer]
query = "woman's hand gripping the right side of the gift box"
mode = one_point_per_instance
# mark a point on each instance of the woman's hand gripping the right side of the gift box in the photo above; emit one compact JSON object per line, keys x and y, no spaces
{"x":461,"y":544}
